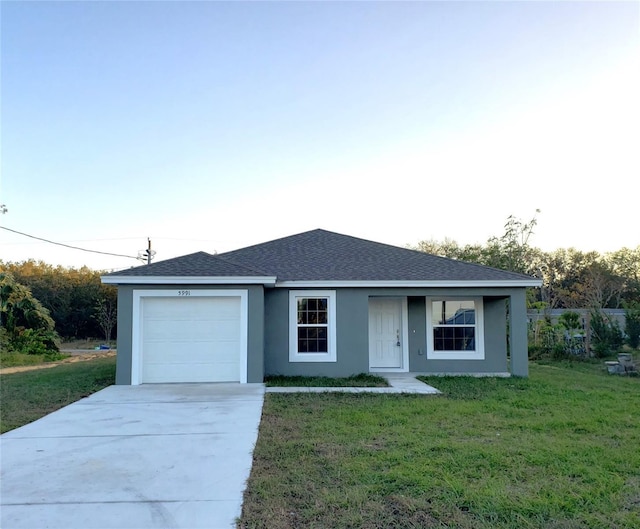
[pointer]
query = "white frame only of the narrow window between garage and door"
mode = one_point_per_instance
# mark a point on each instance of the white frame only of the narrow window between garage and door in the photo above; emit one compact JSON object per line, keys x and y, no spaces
{"x":294,"y":355}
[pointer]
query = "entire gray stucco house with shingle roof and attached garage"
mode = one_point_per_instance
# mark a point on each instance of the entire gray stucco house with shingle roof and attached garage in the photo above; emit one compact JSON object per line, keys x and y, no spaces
{"x":317,"y":303}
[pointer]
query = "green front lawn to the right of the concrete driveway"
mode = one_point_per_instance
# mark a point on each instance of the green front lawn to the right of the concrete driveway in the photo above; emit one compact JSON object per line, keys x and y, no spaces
{"x":560,"y":450}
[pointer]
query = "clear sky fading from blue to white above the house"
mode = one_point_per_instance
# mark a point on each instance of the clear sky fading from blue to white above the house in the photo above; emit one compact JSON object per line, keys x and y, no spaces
{"x":215,"y":125}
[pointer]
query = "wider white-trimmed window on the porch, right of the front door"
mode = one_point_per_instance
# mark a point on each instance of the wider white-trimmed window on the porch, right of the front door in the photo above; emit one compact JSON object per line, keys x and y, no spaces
{"x":455,"y":329}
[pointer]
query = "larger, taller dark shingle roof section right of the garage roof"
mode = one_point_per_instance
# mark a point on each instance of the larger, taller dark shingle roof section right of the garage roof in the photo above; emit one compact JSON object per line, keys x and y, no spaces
{"x":321,"y":255}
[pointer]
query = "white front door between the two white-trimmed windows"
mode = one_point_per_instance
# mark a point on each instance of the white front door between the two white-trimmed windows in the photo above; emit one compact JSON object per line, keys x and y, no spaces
{"x":386,"y":334}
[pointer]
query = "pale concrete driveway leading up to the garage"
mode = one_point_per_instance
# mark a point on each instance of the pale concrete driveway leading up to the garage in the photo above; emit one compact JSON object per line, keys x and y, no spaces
{"x":166,"y":455}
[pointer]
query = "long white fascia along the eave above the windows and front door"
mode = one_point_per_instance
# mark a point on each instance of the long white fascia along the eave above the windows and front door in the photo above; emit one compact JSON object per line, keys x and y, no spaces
{"x":514,"y":283}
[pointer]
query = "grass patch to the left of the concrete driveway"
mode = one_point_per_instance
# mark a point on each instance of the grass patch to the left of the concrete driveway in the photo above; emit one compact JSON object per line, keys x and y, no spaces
{"x":29,"y":395}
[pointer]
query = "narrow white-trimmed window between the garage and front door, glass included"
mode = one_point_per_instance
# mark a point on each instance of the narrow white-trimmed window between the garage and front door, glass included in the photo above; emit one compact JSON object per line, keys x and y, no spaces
{"x":312,"y":326}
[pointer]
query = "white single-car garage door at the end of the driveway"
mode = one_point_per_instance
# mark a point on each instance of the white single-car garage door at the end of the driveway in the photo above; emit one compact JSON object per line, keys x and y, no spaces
{"x":191,"y":339}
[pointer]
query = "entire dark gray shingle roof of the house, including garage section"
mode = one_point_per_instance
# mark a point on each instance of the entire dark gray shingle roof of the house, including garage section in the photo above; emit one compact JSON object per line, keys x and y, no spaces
{"x":321,"y":255}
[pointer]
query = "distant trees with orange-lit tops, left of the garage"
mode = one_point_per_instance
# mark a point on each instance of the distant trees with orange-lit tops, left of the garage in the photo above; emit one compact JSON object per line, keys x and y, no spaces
{"x":75,"y":299}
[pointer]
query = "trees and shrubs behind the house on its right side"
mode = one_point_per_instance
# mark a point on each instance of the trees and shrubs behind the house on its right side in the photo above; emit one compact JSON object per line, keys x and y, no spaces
{"x":571,"y":279}
